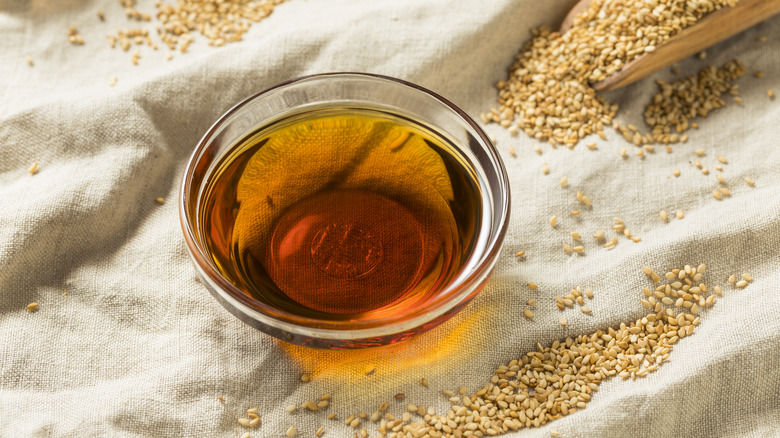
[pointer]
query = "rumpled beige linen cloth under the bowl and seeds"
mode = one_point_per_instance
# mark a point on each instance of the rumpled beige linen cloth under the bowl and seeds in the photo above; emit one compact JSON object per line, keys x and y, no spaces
{"x":127,"y":343}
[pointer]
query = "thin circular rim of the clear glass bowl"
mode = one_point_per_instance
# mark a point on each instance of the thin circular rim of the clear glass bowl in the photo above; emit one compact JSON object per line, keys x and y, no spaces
{"x":452,"y":295}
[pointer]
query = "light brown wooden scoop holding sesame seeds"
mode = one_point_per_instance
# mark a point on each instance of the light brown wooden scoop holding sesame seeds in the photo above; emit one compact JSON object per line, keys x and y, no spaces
{"x":711,"y":29}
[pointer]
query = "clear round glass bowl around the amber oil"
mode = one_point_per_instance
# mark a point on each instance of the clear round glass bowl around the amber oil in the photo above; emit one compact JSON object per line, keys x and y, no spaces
{"x":350,"y":89}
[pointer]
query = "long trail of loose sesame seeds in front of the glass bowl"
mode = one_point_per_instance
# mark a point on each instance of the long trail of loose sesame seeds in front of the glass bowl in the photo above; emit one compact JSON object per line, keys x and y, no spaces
{"x":552,"y":381}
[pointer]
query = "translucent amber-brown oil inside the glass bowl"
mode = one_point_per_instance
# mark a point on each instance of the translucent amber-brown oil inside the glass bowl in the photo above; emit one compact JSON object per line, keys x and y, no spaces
{"x":341,"y":214}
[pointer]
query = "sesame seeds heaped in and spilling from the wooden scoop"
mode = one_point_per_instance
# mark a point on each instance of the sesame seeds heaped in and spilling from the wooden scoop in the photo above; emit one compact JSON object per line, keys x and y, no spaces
{"x":548,"y":94}
